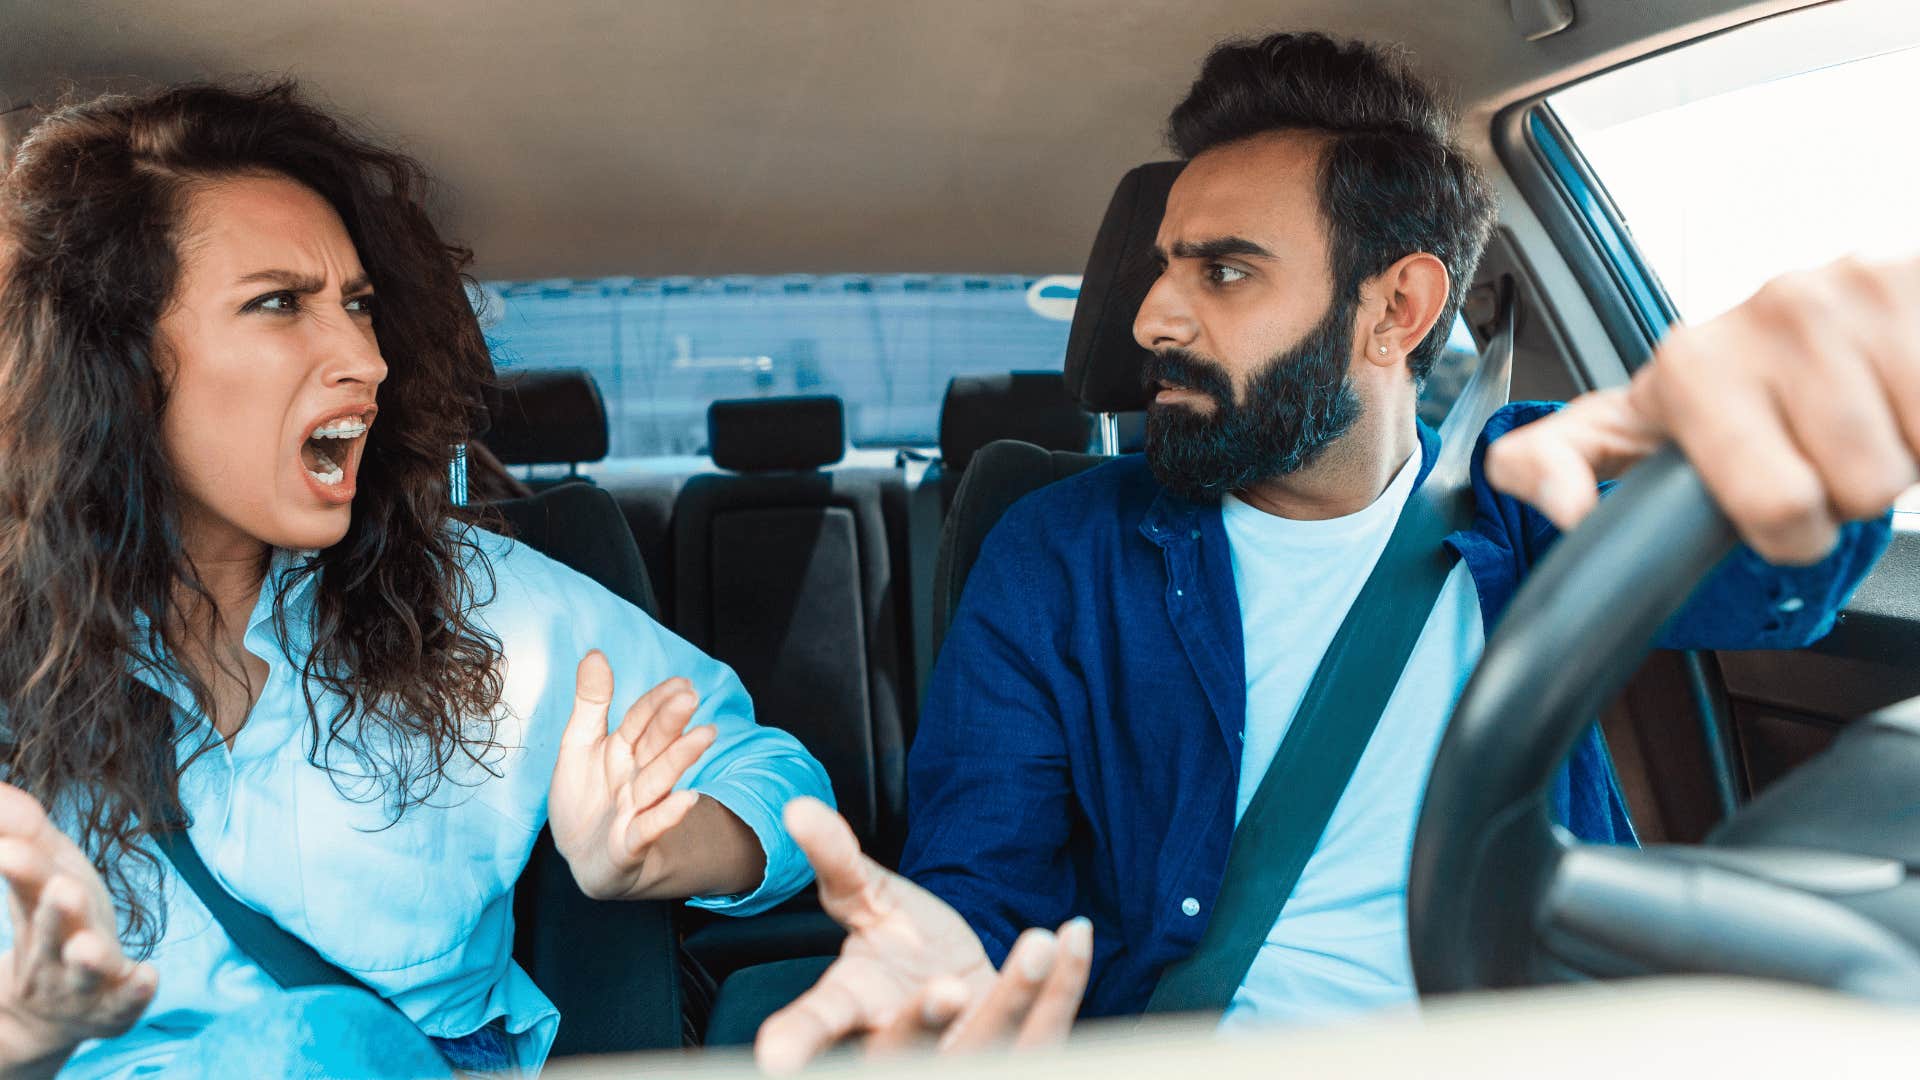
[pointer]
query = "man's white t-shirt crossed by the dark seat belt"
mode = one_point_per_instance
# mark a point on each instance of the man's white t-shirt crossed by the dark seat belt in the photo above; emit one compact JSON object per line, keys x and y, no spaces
{"x":1341,"y":945}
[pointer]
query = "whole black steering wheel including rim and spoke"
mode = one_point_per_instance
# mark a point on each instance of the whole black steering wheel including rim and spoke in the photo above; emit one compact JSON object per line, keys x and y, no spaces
{"x":1817,"y":881}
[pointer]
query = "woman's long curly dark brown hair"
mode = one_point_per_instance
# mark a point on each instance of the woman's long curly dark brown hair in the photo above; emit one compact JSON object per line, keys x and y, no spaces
{"x":93,"y":572}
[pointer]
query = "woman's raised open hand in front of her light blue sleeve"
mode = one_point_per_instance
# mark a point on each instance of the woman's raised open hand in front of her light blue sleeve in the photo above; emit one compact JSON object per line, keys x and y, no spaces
{"x":613,"y":795}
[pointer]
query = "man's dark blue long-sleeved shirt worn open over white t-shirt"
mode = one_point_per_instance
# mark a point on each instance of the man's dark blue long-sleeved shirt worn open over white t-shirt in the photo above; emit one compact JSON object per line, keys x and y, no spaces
{"x":1082,"y":739}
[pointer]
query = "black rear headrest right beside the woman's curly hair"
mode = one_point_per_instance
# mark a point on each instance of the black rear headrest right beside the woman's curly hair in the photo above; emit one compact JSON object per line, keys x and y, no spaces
{"x":546,"y":418}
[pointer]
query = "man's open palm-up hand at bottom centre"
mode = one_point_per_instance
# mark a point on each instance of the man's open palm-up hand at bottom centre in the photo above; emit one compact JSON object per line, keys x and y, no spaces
{"x":913,"y":971}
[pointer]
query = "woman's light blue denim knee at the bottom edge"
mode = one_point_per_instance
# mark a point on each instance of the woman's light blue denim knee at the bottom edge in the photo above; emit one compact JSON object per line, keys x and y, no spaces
{"x":312,"y":1035}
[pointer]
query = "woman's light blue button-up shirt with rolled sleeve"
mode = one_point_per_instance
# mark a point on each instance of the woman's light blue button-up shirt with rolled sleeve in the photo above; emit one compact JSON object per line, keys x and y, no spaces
{"x":421,"y":910}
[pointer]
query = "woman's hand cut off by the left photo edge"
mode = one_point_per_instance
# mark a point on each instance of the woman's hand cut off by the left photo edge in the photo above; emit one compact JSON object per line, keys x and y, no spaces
{"x":66,"y":979}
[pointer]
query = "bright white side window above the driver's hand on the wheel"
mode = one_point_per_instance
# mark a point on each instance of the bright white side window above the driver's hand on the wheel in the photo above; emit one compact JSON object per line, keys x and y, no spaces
{"x":1762,"y":151}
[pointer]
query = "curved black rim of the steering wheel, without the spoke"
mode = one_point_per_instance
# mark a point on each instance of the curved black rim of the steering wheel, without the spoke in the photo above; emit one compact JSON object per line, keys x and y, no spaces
{"x":1487,"y":850}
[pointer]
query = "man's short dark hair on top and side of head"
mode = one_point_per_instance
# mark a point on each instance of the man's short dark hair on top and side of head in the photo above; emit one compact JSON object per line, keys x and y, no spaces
{"x":1393,"y":180}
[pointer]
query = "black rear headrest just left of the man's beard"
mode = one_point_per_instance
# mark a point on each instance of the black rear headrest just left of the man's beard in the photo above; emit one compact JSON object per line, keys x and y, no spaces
{"x":1030,"y":406}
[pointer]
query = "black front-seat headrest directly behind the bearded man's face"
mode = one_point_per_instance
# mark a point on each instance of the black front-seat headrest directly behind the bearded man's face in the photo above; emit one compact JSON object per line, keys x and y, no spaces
{"x":1103,"y":360}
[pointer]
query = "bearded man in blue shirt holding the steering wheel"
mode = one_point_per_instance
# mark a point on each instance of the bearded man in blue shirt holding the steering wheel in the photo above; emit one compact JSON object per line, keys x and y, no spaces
{"x":1134,"y":643}
